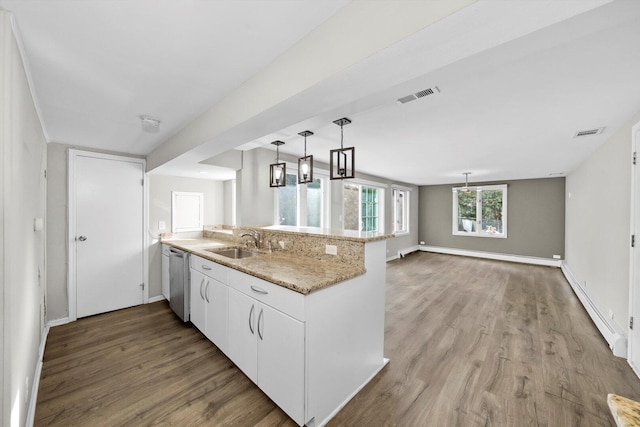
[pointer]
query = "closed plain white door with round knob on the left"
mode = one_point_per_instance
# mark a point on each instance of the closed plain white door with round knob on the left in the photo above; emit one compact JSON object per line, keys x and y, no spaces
{"x":106,"y":233}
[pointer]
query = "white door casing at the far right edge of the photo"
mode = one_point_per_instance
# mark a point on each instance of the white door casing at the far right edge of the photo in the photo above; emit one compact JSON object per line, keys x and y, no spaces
{"x":633,"y":351}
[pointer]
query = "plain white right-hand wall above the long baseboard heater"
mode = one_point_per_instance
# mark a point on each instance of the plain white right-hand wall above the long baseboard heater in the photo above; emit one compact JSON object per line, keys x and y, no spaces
{"x":597,"y":224}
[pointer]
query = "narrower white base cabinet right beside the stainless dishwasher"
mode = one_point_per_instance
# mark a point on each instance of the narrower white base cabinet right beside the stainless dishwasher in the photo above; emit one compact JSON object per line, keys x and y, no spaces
{"x":209,"y":306}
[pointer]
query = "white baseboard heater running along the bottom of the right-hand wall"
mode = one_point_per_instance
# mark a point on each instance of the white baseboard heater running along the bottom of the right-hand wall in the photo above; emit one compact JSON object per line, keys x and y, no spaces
{"x":610,"y":330}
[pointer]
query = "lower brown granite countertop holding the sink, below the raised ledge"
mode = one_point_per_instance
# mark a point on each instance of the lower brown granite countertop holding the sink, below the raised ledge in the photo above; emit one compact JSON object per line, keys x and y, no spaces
{"x":300,"y":274}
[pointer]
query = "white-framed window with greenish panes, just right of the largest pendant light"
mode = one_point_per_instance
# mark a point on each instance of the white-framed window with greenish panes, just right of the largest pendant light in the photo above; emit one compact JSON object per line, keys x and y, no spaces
{"x":363,"y":207}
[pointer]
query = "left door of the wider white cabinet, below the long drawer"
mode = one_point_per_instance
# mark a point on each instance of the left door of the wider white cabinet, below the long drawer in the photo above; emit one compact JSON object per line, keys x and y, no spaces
{"x":243,"y":344}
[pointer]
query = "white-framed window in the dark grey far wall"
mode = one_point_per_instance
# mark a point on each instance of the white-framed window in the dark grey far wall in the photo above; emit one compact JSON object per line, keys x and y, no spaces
{"x":480,"y":211}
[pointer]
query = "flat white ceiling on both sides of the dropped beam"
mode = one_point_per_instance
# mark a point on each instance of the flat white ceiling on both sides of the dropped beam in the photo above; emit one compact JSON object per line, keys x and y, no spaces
{"x":517,"y":80}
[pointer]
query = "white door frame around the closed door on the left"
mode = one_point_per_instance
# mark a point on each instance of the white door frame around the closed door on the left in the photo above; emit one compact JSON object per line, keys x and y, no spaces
{"x":71,"y":264}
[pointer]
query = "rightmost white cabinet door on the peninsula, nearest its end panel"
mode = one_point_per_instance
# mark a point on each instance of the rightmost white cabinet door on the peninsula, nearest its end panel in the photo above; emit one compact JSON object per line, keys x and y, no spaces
{"x":281,"y":360}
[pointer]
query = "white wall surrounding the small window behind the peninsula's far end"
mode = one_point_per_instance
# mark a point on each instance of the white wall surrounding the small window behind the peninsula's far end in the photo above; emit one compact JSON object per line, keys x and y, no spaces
{"x":160,"y":188}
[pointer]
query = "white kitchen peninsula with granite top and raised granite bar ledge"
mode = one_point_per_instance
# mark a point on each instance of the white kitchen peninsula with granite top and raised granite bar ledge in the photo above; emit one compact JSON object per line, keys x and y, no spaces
{"x":304,"y":320}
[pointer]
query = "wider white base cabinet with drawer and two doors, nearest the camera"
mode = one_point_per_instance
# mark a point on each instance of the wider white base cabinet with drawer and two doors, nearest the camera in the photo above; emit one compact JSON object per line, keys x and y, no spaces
{"x":268,"y":346}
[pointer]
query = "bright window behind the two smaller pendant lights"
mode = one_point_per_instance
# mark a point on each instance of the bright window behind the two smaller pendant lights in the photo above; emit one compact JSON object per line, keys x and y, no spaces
{"x":302,"y":204}
